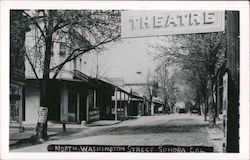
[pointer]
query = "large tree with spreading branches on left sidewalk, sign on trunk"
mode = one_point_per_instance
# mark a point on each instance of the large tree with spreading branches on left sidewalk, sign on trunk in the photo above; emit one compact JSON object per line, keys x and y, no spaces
{"x":80,"y":30}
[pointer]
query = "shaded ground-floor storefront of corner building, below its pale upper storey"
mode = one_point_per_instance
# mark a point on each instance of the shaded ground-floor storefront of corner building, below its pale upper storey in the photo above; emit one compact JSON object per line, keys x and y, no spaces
{"x":76,"y":100}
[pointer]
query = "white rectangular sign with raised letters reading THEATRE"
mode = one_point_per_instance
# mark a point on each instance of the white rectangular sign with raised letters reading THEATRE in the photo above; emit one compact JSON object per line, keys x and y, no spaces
{"x":156,"y":23}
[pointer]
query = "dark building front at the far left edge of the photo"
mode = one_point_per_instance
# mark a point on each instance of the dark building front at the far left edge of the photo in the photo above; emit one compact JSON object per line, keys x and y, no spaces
{"x":17,"y":68}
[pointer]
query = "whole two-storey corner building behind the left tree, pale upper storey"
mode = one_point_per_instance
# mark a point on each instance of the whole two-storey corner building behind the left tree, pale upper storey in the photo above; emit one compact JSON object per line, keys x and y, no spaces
{"x":75,"y":94}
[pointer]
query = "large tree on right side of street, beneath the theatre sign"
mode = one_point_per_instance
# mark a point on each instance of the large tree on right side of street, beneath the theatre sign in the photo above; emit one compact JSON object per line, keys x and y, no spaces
{"x":198,"y":57}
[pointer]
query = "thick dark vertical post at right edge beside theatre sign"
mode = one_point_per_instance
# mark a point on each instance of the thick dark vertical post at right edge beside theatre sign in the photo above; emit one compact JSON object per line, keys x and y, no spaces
{"x":232,"y":29}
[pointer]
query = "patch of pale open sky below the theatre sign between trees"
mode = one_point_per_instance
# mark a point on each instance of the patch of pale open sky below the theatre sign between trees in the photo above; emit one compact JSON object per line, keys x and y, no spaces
{"x":126,"y":58}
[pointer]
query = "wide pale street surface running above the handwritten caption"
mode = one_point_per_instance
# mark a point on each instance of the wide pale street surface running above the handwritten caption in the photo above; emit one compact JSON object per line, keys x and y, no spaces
{"x":174,"y":129}
